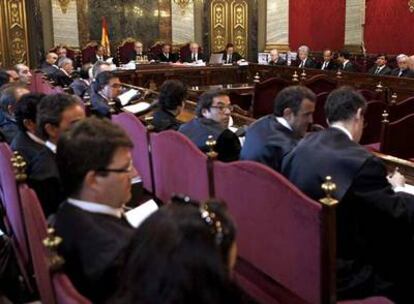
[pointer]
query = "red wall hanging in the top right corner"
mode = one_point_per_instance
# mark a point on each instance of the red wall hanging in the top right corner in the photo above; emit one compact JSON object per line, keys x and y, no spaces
{"x":388,"y":27}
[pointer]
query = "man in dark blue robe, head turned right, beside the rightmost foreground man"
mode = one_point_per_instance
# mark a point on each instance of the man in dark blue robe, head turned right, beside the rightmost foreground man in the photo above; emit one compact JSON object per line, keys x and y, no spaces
{"x":272,"y":137}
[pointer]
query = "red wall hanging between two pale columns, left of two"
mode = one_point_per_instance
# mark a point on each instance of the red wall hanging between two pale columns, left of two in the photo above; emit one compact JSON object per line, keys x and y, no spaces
{"x":317,"y":23}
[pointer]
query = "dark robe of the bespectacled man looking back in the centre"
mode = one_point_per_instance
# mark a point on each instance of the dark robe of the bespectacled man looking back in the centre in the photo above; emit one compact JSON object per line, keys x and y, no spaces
{"x":227,"y":143}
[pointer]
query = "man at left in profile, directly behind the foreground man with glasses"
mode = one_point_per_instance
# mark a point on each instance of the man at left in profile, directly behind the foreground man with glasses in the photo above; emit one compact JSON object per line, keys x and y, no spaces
{"x":55,"y":114}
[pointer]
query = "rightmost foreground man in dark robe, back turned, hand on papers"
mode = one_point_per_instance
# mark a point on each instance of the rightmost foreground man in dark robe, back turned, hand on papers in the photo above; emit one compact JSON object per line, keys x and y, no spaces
{"x":374,"y":222}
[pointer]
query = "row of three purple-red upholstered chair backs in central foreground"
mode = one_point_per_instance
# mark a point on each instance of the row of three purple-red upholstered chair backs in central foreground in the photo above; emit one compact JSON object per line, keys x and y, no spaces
{"x":273,"y":217}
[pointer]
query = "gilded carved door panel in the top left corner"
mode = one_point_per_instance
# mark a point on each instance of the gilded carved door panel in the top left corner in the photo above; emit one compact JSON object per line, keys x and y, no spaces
{"x":13,"y":32}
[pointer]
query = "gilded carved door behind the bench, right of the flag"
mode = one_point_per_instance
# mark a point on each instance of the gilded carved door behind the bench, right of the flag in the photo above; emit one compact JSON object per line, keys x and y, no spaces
{"x":229,"y":23}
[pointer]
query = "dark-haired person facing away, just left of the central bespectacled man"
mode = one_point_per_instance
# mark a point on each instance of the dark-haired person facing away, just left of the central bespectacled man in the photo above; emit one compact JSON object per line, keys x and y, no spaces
{"x":170,"y":101}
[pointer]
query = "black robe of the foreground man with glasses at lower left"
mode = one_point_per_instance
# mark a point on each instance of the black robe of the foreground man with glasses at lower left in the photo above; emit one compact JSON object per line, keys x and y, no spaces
{"x":93,"y":247}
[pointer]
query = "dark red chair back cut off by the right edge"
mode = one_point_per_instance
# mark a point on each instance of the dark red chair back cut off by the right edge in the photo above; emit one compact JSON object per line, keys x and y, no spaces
{"x":397,"y":137}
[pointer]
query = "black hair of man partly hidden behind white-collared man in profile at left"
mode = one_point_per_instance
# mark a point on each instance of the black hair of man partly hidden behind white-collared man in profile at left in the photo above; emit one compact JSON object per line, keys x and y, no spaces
{"x":26,"y":108}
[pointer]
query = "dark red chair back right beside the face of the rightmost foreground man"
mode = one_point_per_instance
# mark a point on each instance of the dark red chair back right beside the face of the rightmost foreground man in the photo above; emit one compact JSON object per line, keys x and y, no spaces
{"x":373,"y":118}
